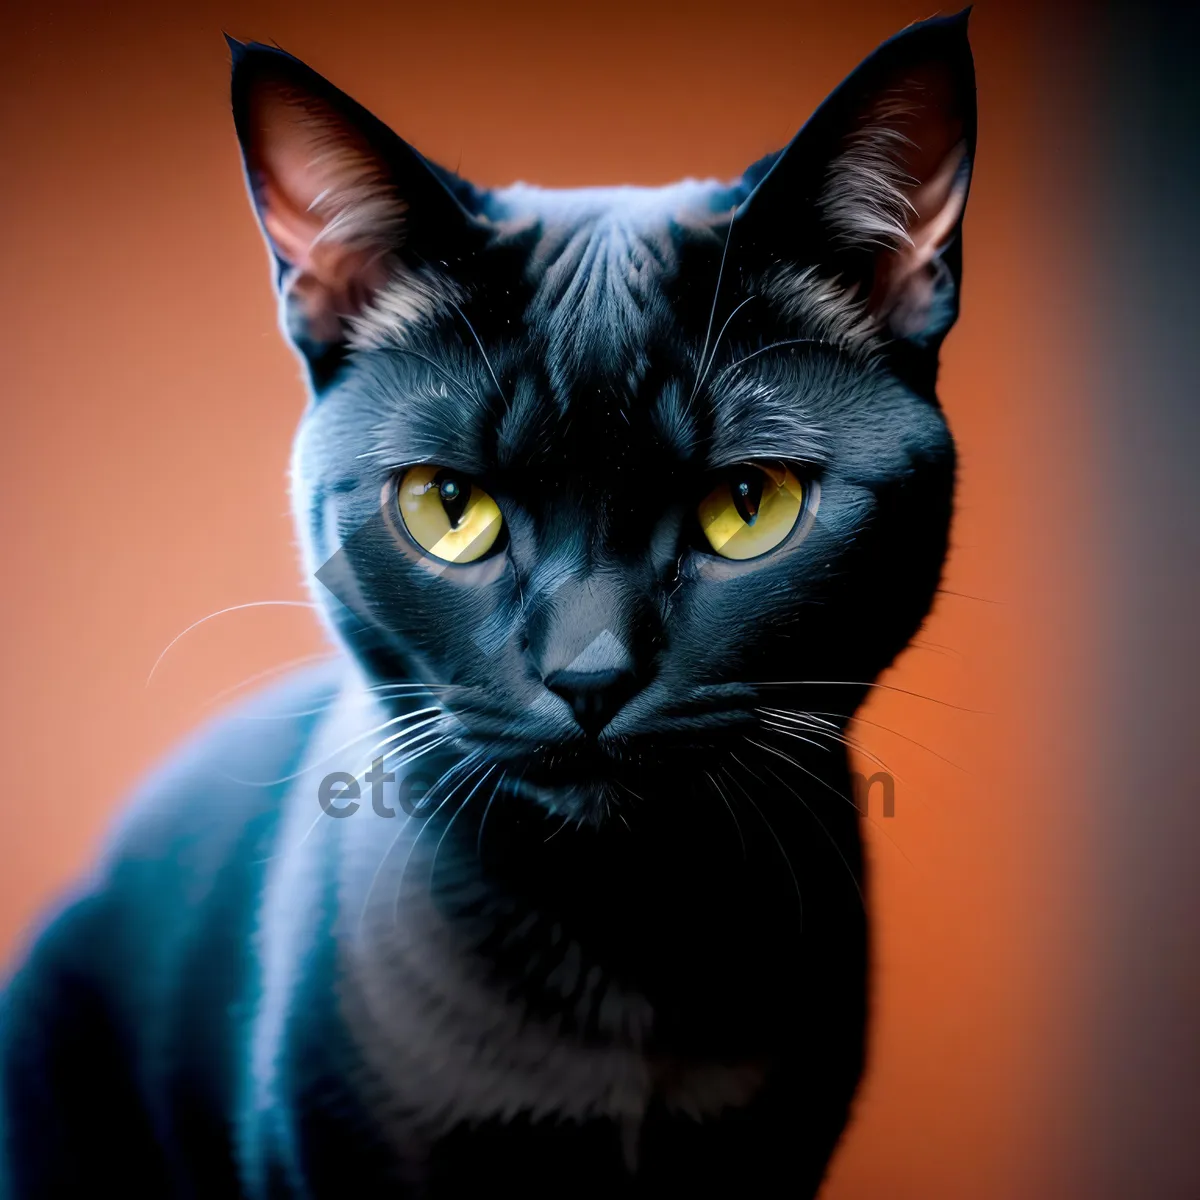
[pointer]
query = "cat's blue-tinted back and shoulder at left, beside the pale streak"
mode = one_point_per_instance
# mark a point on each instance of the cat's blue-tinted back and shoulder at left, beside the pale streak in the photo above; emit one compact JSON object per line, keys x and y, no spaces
{"x":143,"y":977}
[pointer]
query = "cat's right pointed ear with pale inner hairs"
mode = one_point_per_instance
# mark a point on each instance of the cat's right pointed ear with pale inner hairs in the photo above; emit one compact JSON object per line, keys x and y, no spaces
{"x":873,"y":190}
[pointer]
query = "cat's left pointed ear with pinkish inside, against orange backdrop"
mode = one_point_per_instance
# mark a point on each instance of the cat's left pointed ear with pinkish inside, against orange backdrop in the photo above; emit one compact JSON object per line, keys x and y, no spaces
{"x":349,"y":209}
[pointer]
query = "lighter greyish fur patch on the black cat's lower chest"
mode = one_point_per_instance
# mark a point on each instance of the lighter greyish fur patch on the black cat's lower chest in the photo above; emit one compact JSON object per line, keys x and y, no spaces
{"x":445,"y":1046}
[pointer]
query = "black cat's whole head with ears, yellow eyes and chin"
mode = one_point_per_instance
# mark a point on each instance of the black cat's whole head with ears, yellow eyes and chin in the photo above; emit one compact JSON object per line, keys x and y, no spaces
{"x":614,"y":471}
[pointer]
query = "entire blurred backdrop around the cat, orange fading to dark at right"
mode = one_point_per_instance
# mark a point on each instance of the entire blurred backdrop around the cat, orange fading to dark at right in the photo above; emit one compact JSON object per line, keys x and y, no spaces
{"x":1037,"y":905}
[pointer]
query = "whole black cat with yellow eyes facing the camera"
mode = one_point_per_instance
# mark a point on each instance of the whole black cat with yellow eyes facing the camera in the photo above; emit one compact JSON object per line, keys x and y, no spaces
{"x":616,"y":502}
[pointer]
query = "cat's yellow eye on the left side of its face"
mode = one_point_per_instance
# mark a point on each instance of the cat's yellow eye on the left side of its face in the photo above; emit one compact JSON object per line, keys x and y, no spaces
{"x":448,"y":515}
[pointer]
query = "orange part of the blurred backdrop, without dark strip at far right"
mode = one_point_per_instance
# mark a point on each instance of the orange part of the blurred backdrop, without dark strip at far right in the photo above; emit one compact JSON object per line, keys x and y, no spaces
{"x":149,"y":405}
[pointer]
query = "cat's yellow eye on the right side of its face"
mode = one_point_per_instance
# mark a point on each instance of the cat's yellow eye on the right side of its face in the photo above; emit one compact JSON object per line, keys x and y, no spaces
{"x":752,"y":511}
